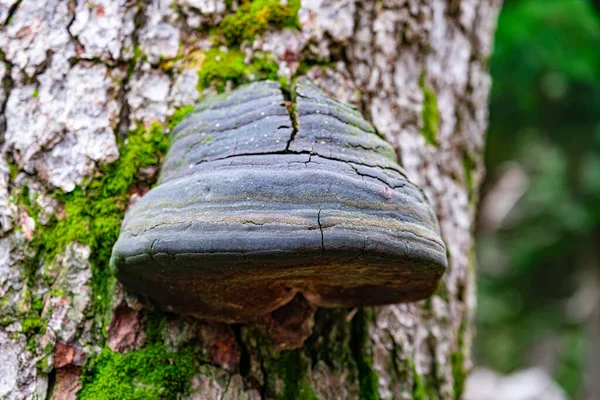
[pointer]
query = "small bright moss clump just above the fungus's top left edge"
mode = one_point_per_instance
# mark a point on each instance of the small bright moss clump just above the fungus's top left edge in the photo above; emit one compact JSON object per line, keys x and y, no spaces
{"x":219,"y":67}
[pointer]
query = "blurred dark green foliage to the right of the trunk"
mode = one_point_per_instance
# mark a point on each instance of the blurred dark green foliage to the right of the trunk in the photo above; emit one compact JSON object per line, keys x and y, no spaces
{"x":538,"y":233}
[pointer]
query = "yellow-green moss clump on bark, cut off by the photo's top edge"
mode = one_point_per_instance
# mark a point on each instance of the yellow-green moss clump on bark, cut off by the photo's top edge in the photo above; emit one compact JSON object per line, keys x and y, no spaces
{"x":255,"y":17}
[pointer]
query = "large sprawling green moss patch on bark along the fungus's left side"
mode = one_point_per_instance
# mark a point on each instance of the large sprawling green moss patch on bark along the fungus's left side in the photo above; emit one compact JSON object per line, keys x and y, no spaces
{"x":93,"y":214}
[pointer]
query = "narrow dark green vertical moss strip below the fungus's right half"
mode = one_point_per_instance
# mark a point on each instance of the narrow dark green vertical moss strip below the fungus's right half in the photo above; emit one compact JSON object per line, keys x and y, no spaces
{"x":367,"y":377}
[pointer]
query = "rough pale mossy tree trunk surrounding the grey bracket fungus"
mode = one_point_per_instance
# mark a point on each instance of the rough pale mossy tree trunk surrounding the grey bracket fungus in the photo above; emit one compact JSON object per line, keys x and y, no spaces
{"x":90,"y":89}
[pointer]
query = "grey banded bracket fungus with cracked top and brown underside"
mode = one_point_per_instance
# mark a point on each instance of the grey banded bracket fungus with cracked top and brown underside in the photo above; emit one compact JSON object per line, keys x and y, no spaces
{"x":261,"y":199}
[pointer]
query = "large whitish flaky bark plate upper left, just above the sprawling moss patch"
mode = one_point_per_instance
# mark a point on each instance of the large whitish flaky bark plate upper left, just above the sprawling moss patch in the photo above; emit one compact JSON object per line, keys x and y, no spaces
{"x":67,"y":127}
